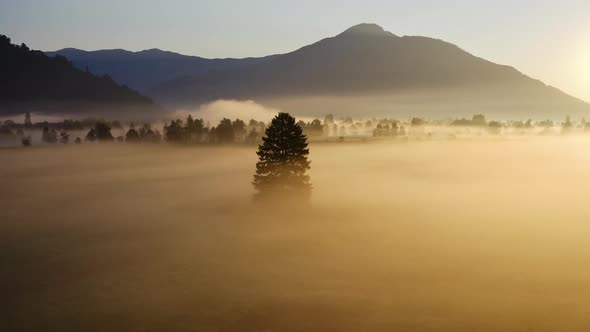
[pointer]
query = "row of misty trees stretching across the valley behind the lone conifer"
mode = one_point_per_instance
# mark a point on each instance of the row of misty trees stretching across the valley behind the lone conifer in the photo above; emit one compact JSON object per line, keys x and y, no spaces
{"x":198,"y":131}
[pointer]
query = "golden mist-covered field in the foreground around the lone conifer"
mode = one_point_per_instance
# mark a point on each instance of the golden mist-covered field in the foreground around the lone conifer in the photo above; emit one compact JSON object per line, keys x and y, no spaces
{"x":464,"y":235}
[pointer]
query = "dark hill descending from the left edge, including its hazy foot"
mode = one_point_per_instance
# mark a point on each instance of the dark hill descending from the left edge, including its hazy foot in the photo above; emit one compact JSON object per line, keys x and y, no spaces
{"x":31,"y":81}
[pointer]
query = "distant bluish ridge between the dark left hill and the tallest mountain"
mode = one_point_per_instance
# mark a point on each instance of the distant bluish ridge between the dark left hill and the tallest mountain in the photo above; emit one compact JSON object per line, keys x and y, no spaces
{"x":146,"y":69}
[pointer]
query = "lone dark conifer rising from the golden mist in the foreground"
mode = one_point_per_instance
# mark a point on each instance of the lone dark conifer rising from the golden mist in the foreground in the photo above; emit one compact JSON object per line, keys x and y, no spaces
{"x":282,"y":165}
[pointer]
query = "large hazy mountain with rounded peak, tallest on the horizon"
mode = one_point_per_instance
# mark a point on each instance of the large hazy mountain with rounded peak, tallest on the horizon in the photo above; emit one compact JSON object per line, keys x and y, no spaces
{"x":367,"y":71}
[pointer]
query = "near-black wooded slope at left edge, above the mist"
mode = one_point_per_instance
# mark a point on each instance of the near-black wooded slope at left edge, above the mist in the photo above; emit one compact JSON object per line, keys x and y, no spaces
{"x":30,"y":76}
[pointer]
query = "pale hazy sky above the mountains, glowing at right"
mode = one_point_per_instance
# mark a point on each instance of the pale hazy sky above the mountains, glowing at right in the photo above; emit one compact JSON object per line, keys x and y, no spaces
{"x":549,"y":40}
